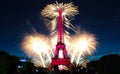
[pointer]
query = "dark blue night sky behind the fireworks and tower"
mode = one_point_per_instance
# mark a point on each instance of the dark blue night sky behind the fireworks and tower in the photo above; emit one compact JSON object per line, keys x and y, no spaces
{"x":99,"y":17}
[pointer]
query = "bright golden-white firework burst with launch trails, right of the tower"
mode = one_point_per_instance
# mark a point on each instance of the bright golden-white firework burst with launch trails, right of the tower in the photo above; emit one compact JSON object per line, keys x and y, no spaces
{"x":83,"y":43}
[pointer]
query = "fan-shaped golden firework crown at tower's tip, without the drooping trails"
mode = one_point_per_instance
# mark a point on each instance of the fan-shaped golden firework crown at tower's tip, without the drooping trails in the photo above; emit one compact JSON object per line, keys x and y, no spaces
{"x":51,"y":10}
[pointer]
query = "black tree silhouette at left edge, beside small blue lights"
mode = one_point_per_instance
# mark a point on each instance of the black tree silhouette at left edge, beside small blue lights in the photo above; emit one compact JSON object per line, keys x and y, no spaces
{"x":8,"y":64}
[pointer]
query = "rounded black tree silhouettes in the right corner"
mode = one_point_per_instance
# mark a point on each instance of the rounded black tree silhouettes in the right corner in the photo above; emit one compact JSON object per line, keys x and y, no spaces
{"x":108,"y":64}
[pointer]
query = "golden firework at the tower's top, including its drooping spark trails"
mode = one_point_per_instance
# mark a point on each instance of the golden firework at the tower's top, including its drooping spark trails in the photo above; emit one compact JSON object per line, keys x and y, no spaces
{"x":68,"y":12}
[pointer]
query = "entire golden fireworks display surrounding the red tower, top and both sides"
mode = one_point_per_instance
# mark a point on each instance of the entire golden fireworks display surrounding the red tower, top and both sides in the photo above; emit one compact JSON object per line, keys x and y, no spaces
{"x":42,"y":47}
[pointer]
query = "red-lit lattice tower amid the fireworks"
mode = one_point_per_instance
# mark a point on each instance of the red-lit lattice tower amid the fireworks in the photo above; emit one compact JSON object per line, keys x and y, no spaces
{"x":65,"y":60}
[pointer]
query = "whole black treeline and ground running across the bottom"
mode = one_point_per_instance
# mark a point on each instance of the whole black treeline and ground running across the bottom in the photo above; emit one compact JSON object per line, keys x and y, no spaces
{"x":108,"y":64}
